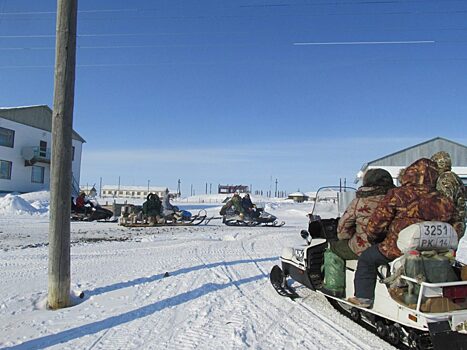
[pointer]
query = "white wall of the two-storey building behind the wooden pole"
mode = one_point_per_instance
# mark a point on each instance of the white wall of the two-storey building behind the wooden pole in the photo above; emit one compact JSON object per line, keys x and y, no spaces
{"x":27,"y":136}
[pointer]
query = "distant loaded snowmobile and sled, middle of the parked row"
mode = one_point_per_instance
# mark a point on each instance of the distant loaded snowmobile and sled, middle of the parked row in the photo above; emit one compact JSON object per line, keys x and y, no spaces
{"x":132,"y":216}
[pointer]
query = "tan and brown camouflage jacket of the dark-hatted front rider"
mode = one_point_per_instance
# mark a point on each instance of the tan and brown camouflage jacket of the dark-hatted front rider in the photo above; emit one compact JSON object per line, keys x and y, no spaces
{"x":353,"y":222}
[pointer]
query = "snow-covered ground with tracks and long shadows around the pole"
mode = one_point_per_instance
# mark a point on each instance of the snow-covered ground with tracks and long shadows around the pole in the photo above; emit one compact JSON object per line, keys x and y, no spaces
{"x":217,"y":294}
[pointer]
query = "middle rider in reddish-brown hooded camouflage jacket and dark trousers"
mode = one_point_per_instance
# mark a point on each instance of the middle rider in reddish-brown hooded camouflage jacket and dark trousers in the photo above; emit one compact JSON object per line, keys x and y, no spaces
{"x":414,"y":201}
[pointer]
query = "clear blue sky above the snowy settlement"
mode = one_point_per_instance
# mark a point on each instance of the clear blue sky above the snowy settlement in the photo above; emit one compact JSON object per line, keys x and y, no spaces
{"x":245,"y":91}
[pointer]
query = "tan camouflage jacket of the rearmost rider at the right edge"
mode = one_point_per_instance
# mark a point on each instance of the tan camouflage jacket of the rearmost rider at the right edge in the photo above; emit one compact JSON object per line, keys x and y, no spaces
{"x":451,"y":186}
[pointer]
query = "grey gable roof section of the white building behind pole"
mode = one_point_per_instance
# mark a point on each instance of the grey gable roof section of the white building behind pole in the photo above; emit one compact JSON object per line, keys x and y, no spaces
{"x":39,"y":117}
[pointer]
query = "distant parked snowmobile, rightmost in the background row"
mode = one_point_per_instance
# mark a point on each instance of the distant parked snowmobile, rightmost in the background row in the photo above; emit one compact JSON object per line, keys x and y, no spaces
{"x":257,"y":218}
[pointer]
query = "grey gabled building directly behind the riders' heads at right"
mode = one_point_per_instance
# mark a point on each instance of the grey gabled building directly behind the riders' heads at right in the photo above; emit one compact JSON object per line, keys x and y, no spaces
{"x":396,"y":161}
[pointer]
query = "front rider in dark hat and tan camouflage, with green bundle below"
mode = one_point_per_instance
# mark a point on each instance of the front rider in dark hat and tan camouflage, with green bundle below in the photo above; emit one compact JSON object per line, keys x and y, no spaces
{"x":351,"y":229}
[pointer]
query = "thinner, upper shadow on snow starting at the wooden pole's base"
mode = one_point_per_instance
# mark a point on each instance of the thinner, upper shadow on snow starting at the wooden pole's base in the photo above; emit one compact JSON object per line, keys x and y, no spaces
{"x":142,"y":280}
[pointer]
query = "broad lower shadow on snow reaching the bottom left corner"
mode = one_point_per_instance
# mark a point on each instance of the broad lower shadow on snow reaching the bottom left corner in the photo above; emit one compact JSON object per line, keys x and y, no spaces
{"x":98,"y":326}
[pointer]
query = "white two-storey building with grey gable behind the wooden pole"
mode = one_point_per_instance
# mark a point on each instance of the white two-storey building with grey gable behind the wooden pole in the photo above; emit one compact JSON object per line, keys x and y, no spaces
{"x":25,"y":141}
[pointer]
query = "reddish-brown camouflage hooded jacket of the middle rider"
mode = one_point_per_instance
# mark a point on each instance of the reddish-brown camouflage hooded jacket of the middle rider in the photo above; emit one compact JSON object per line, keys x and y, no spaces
{"x":416,"y":200}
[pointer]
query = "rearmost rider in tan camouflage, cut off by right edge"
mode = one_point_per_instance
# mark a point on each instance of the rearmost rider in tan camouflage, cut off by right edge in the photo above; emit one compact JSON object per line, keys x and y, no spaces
{"x":451,"y":186}
